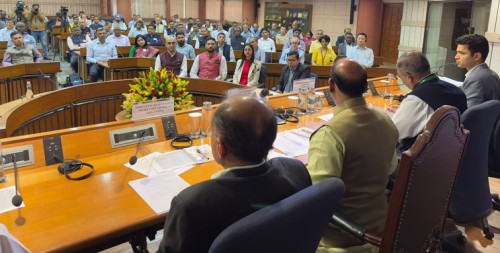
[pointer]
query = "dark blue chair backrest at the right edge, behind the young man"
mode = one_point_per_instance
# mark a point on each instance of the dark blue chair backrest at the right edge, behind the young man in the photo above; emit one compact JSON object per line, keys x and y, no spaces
{"x":471,"y":198}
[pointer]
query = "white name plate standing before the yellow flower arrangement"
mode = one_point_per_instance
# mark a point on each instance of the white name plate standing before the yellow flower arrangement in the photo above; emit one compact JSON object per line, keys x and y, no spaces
{"x":152,"y":109}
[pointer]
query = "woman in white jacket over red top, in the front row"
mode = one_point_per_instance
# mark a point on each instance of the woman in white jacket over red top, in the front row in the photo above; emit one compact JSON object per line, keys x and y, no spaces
{"x":247,"y":70}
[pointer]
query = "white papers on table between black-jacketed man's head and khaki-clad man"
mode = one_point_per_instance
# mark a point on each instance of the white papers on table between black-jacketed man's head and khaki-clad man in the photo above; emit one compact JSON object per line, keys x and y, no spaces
{"x":291,"y":144}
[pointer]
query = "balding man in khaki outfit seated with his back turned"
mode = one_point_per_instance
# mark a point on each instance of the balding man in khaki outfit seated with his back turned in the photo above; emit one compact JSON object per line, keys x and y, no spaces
{"x":344,"y":147}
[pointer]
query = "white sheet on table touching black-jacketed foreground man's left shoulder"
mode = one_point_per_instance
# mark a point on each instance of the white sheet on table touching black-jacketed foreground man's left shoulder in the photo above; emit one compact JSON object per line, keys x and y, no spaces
{"x":158,"y":191}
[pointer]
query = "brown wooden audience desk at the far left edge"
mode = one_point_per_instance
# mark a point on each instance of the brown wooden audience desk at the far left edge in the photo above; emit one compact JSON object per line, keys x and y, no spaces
{"x":13,"y":79}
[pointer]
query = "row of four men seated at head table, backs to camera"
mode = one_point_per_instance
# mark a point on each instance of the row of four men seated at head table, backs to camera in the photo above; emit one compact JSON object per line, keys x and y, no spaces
{"x":362,"y":166}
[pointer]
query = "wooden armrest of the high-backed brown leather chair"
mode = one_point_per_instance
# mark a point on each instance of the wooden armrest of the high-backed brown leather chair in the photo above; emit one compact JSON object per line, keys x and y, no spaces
{"x":342,"y":221}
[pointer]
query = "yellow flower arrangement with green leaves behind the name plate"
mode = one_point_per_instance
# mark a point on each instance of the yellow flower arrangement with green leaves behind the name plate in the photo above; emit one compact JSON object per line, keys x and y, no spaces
{"x":153,"y":85}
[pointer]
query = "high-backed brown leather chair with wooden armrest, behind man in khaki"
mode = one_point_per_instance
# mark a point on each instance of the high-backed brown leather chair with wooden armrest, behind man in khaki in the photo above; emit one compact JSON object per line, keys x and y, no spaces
{"x":423,"y":187}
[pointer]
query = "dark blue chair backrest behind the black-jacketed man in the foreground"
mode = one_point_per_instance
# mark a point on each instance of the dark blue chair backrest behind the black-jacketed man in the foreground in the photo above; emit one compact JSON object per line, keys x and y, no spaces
{"x":294,"y":224}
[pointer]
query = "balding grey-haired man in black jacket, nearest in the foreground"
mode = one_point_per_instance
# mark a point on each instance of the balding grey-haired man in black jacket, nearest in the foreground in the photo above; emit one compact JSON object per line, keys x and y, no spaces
{"x":240,"y":144}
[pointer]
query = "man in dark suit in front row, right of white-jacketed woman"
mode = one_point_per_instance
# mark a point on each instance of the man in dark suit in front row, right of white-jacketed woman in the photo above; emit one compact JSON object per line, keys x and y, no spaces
{"x":293,"y":70}
